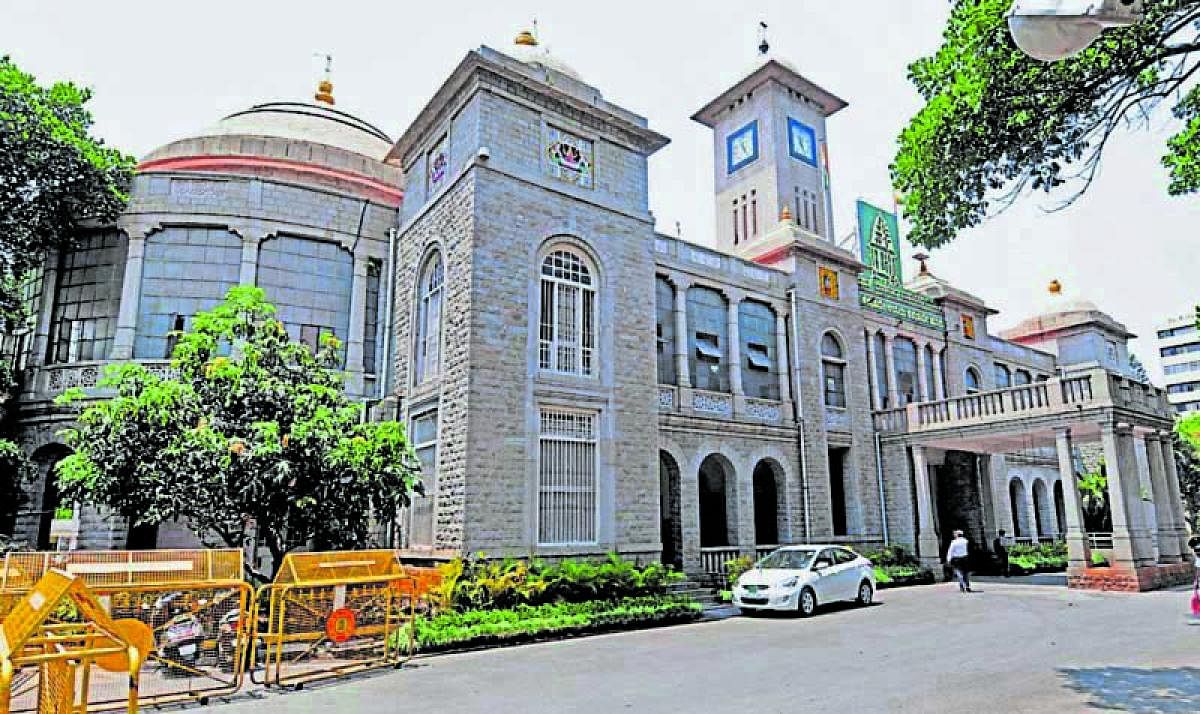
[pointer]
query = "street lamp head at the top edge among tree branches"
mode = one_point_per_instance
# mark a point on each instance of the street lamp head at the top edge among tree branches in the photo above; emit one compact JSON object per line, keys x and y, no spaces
{"x":1052,"y":31}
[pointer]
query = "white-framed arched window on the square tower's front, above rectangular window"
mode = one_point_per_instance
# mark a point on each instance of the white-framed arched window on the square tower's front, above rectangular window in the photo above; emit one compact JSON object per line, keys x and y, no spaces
{"x":567,"y":332}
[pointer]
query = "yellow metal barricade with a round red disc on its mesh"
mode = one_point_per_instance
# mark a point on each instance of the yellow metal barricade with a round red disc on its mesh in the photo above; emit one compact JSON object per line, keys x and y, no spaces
{"x":334,"y":614}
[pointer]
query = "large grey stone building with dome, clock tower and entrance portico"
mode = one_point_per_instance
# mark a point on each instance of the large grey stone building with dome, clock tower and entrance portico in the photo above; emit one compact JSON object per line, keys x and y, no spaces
{"x":577,"y":383}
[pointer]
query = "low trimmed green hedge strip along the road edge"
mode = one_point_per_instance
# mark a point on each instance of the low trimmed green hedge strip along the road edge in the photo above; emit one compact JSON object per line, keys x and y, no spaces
{"x":531,"y":622}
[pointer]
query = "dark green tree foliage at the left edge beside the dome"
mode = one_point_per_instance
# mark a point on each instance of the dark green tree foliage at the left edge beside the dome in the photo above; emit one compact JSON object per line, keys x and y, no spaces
{"x":53,"y":175}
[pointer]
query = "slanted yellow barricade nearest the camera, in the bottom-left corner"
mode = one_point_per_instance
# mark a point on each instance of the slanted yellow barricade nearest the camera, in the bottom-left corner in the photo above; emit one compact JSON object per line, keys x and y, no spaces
{"x":52,"y":641}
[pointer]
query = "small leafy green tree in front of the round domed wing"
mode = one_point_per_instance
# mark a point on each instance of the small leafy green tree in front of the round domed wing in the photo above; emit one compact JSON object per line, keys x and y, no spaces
{"x":255,"y":431}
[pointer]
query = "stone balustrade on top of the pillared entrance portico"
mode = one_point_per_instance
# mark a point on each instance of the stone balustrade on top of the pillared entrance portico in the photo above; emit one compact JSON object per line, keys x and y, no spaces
{"x":1093,"y":389}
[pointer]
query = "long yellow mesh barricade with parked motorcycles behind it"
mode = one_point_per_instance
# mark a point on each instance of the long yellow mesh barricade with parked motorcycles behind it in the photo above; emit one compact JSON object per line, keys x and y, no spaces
{"x":195,"y":604}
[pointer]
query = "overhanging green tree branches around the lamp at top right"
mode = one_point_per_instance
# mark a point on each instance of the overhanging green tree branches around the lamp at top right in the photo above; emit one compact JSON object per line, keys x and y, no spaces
{"x":998,"y":123}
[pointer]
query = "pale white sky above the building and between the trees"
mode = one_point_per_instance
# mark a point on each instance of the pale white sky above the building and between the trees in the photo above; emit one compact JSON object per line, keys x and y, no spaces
{"x":164,"y":70}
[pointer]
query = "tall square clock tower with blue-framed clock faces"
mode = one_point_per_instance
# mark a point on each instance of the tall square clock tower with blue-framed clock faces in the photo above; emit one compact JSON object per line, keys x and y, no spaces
{"x":770,"y":159}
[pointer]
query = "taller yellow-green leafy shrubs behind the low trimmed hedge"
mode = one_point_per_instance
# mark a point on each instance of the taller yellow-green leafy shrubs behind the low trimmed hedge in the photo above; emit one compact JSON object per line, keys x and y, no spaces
{"x":507,"y":584}
